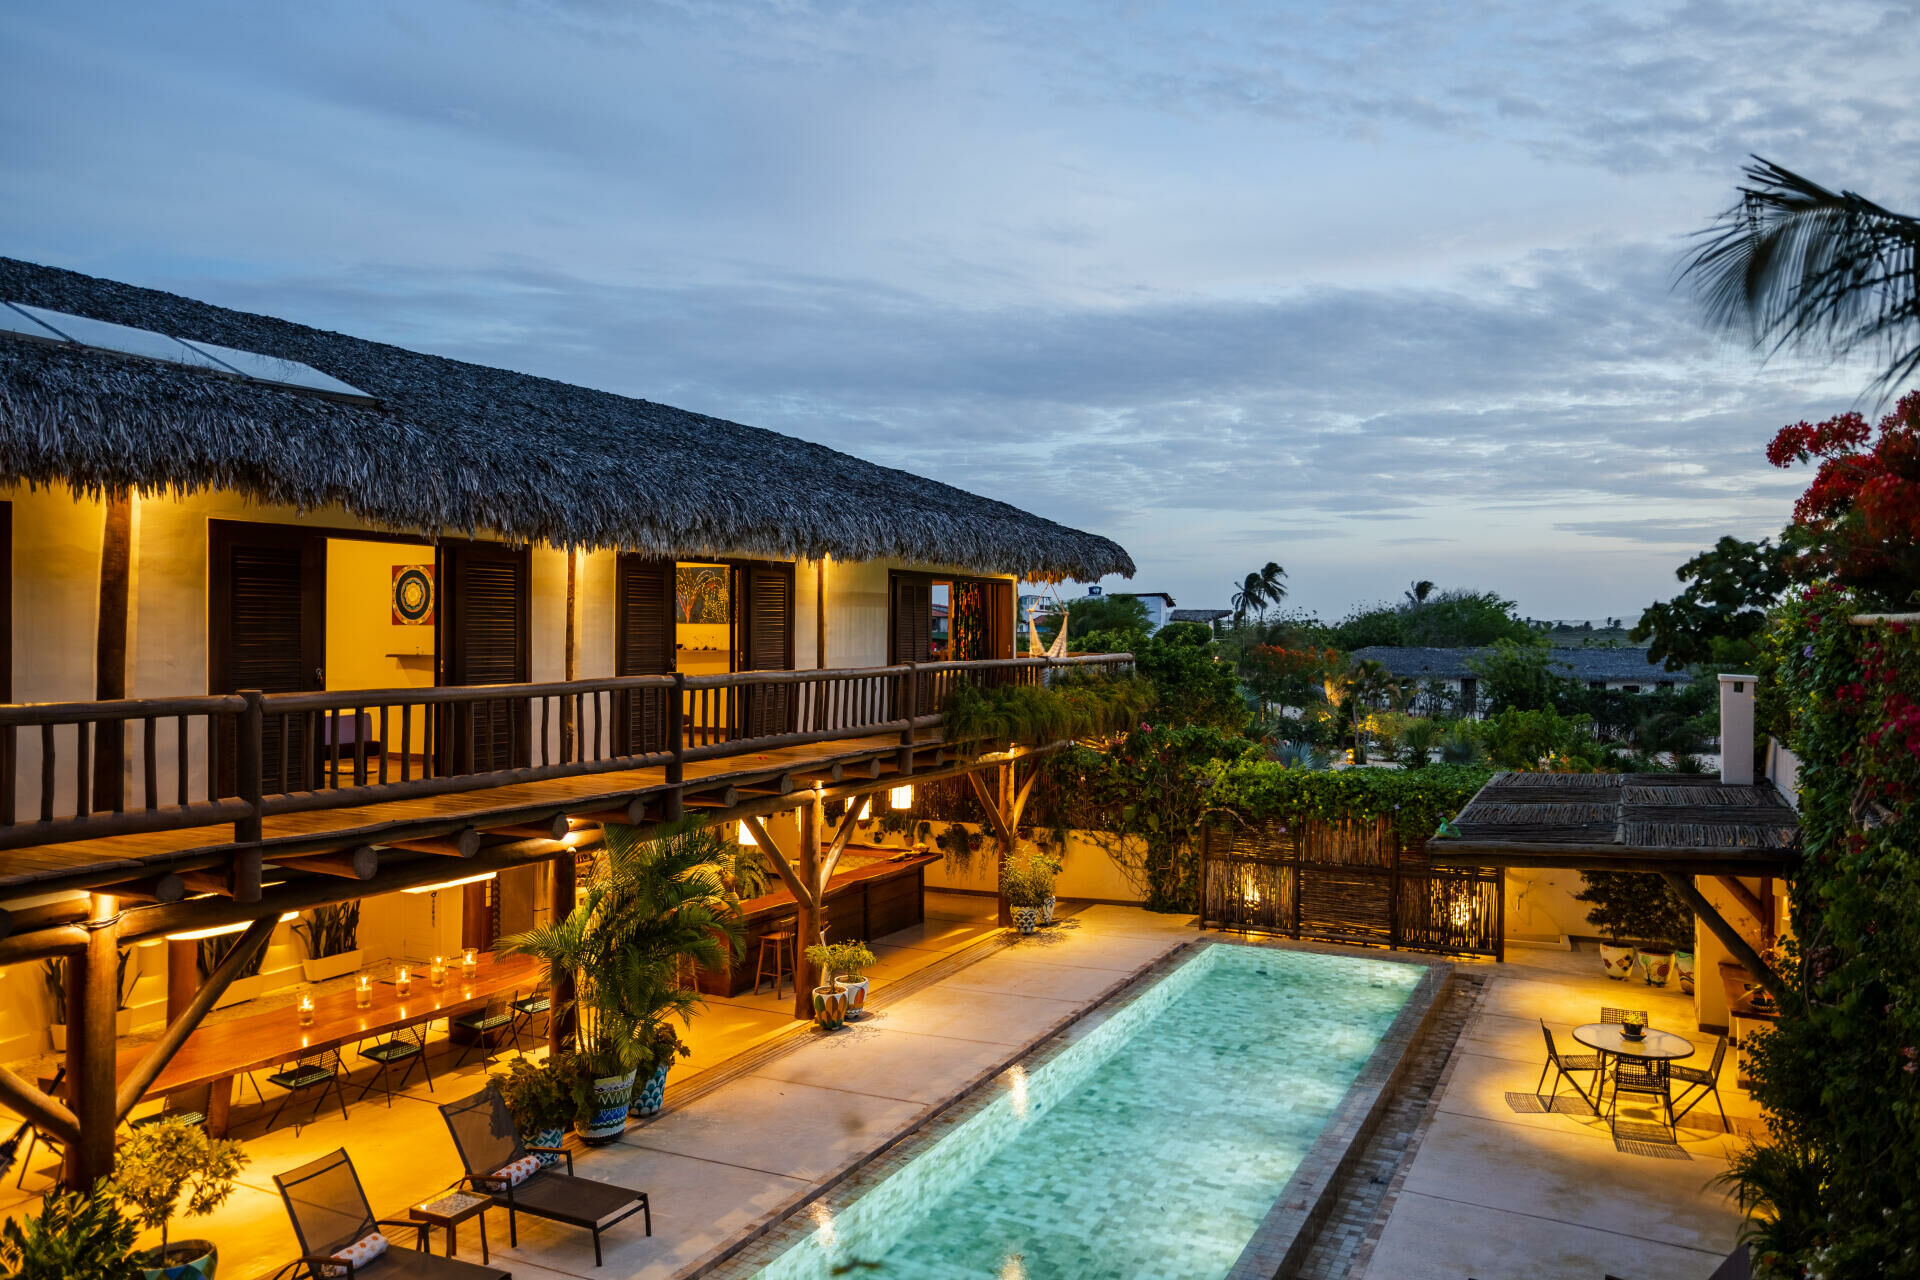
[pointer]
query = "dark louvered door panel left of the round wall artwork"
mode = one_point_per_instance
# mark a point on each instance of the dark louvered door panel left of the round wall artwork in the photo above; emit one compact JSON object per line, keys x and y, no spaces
{"x":268,"y":630}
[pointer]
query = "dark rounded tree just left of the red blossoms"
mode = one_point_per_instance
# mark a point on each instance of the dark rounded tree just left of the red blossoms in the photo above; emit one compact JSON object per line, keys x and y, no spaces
{"x":1723,"y":611}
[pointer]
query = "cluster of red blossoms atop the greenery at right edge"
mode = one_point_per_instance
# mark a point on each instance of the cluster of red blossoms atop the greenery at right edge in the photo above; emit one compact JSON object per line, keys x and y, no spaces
{"x":1861,"y":513}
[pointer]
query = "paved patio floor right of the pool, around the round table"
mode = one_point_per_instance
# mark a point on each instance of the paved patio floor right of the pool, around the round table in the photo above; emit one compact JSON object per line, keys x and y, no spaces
{"x":1502,"y":1191}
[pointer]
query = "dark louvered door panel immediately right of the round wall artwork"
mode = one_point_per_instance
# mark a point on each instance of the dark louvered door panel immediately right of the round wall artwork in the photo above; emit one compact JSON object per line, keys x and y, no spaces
{"x":485,"y":640}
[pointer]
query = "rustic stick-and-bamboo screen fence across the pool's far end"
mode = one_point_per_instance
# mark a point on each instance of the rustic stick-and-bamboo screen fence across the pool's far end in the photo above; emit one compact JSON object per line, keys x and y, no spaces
{"x":1347,"y":882}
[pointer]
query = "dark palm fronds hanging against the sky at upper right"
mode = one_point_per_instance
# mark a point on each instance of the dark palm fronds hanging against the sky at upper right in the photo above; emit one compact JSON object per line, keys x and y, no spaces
{"x":1800,"y":266}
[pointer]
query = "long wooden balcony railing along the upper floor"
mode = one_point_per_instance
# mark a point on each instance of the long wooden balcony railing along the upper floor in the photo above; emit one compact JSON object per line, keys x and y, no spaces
{"x":237,"y":759}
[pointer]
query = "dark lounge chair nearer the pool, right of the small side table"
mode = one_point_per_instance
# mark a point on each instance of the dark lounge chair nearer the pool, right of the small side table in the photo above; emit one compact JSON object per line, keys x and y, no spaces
{"x":491,"y":1143}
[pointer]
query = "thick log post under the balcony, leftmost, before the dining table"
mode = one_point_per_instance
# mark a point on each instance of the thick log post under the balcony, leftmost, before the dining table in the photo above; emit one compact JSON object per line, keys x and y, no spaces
{"x":91,"y":1043}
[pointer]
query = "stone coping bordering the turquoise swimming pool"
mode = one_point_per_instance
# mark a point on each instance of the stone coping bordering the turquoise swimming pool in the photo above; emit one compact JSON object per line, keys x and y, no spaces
{"x":1285,"y":1233}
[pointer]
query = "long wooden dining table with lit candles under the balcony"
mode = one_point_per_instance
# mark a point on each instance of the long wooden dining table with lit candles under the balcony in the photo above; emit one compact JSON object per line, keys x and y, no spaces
{"x":218,"y":1053}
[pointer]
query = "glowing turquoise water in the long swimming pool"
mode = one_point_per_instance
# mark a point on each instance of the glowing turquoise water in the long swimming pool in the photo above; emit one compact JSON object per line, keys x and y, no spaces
{"x":1151,"y":1147}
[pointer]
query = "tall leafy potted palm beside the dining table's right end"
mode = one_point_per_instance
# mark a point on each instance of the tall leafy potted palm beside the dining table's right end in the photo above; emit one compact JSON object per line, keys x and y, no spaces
{"x":652,"y":909}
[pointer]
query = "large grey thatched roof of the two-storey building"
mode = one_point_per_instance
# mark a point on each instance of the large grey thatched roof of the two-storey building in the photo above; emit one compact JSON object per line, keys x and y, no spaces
{"x":458,"y":446}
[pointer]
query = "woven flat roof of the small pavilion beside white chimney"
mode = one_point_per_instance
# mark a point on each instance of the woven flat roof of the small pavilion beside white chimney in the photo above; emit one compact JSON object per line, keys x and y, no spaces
{"x":1623,"y":822}
